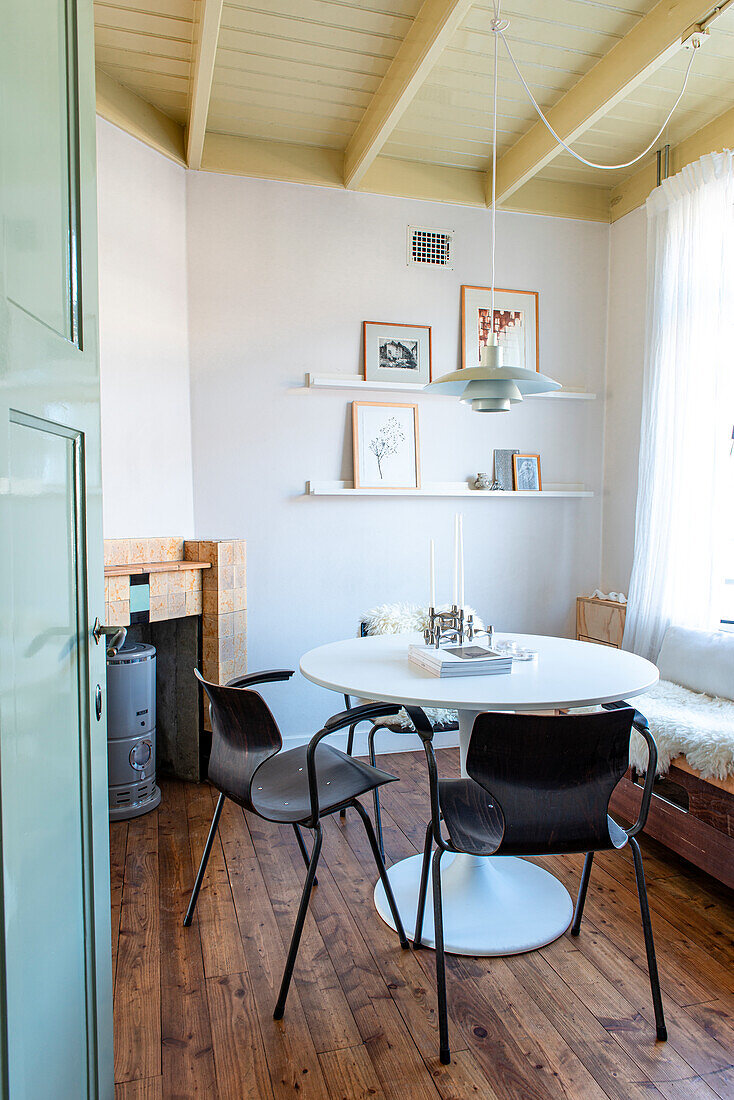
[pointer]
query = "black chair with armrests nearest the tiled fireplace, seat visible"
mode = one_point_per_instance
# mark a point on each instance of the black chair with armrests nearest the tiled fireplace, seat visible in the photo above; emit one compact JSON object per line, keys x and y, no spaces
{"x":299,"y":787}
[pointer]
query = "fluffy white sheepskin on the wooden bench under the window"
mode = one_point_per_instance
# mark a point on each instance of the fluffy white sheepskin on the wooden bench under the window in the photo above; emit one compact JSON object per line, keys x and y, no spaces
{"x":702,"y":728}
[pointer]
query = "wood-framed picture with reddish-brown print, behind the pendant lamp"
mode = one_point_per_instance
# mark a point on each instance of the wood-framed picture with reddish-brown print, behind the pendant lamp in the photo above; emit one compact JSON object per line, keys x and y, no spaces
{"x":516,"y":323}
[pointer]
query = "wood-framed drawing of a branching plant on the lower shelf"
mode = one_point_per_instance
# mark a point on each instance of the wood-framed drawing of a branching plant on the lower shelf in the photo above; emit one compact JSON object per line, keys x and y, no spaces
{"x":386,"y":442}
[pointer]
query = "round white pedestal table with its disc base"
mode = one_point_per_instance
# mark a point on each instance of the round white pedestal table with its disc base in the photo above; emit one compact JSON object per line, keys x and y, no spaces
{"x":492,"y":906}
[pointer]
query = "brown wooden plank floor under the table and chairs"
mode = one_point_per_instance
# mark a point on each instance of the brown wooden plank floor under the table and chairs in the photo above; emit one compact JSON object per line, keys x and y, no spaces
{"x":574,"y":1021}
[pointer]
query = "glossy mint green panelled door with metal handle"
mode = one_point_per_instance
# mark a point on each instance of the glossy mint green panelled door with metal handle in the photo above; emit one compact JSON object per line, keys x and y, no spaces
{"x":56,"y":981}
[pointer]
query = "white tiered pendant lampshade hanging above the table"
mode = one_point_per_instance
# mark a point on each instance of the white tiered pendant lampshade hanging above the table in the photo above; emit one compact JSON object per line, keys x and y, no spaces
{"x":492,"y":388}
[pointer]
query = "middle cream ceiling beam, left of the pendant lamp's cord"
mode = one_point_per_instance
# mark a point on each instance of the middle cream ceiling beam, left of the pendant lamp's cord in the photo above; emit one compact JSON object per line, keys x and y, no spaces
{"x":432,"y":30}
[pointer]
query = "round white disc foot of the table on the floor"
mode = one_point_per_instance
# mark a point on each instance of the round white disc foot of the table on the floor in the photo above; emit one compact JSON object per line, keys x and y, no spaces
{"x":491,"y":905}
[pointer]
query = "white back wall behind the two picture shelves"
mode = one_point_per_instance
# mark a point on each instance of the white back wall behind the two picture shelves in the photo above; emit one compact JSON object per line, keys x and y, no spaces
{"x":280,"y":280}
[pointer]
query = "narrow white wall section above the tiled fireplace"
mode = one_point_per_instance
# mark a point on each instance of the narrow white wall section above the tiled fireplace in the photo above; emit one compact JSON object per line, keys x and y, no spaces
{"x":147,"y":437}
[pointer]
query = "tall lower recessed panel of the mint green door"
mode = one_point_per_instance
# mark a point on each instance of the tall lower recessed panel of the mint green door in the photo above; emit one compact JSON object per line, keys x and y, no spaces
{"x":43,"y":765}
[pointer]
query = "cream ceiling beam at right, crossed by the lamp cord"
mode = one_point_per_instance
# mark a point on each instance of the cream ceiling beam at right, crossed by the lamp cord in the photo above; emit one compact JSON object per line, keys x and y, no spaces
{"x":651,"y":43}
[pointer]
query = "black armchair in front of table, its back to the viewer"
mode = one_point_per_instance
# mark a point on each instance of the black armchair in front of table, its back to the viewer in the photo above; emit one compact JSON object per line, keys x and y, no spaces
{"x":538,"y":786}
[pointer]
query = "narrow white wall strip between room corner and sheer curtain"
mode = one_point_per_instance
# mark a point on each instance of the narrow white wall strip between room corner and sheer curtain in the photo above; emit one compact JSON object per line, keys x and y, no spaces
{"x":625,"y":395}
